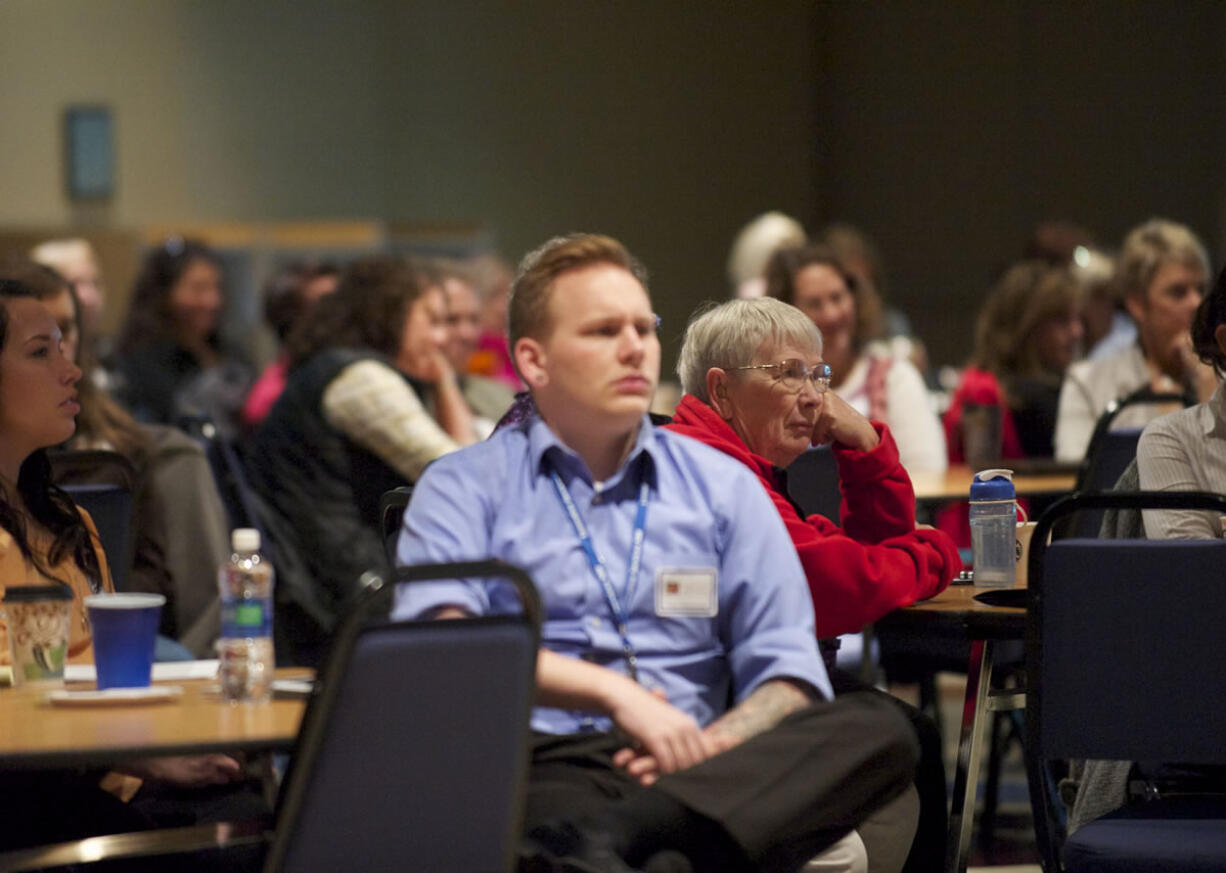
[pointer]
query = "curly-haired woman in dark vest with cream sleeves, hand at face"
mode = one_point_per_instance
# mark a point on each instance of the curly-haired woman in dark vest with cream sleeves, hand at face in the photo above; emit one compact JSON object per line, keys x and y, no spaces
{"x":371,"y":400}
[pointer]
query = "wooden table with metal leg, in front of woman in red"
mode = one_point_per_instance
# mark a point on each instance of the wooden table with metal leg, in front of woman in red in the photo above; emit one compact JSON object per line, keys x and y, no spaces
{"x":956,"y":614}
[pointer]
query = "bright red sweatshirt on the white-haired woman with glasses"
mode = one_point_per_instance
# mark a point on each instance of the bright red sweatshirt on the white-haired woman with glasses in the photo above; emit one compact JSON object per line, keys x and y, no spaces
{"x":877,"y":562}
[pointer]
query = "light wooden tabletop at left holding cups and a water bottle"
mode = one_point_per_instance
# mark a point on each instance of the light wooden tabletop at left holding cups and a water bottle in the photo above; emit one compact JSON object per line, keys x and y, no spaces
{"x":36,"y":734}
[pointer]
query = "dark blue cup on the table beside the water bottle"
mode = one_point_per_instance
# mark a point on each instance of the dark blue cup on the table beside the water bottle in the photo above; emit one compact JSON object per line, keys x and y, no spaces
{"x":124,"y":636}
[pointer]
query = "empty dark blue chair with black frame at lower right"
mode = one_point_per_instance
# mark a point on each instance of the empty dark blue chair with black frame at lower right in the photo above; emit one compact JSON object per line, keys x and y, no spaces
{"x":1122,"y":659}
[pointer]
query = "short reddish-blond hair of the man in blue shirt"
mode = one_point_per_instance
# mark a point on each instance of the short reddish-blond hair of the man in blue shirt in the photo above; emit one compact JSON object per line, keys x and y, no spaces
{"x":529,"y":310}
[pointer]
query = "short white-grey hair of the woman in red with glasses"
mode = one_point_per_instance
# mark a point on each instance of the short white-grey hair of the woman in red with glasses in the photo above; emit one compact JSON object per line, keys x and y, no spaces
{"x":731,"y":334}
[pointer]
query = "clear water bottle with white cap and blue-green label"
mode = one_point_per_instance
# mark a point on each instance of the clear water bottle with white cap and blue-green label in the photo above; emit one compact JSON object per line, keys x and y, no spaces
{"x":246,"y":648}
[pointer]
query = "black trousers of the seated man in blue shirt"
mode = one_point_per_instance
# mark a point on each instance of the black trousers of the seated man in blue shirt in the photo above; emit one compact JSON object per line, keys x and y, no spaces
{"x":782,"y":796}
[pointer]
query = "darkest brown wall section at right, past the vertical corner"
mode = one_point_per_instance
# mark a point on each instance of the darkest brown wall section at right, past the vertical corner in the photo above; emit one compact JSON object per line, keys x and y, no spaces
{"x":948,"y":132}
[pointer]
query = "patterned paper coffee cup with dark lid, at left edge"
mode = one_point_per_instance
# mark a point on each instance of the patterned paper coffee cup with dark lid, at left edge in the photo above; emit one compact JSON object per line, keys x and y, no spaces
{"x":39,"y":632}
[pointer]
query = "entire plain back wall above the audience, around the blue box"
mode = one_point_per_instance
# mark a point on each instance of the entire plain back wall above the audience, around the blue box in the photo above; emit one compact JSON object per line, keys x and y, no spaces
{"x":946,"y":131}
